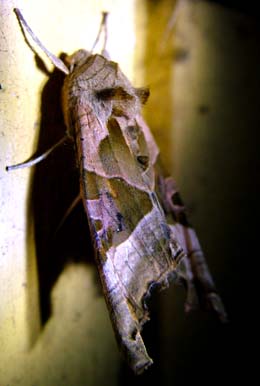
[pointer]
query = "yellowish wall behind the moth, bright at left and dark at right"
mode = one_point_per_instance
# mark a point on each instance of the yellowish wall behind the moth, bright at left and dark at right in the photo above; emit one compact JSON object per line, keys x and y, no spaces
{"x":204,"y":112}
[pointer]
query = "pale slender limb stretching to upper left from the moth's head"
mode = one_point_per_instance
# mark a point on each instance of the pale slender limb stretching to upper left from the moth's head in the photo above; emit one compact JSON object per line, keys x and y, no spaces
{"x":56,"y":61}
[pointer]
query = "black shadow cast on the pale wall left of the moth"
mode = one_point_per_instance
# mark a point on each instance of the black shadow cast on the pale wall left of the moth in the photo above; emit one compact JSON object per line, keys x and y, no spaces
{"x":55,"y":184}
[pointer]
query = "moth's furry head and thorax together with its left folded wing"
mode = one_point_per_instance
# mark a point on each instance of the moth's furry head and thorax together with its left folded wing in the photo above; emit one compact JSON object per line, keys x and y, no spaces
{"x":116,"y":156}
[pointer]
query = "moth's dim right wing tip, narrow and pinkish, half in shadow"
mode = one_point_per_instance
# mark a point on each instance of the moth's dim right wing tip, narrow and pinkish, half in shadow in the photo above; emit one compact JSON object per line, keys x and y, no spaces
{"x":194,"y":269}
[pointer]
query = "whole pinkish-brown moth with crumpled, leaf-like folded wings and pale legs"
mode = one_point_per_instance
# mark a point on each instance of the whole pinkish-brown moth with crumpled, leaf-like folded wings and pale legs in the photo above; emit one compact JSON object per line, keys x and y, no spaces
{"x":138,"y":223}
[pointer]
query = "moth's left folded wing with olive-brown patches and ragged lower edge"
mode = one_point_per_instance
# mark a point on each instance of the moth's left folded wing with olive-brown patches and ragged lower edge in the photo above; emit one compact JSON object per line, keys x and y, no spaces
{"x":134,"y":246}
